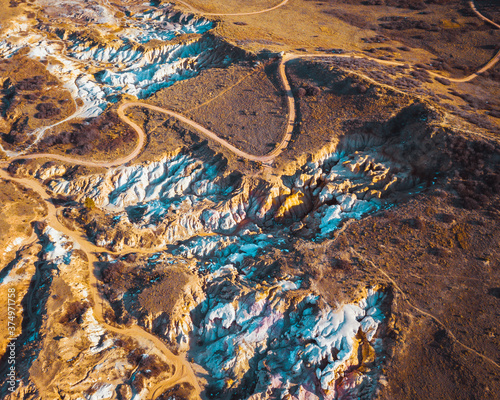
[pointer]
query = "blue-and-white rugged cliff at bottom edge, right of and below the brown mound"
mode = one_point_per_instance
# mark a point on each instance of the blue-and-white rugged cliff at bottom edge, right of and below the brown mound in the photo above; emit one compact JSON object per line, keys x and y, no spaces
{"x":284,"y":339}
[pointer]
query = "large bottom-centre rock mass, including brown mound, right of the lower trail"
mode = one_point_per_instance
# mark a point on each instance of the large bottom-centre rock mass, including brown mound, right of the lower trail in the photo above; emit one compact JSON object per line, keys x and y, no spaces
{"x":259,"y":331}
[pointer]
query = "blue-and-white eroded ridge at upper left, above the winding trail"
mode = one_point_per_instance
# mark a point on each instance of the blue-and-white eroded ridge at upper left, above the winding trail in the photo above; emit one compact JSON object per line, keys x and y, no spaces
{"x":146,"y":70}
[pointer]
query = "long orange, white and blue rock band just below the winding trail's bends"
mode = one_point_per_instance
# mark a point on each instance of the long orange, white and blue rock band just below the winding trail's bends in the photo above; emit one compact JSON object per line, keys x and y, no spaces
{"x":184,"y":195}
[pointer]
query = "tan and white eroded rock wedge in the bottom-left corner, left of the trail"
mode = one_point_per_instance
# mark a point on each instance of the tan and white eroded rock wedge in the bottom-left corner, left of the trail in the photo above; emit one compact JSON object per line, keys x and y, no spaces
{"x":62,"y":347}
